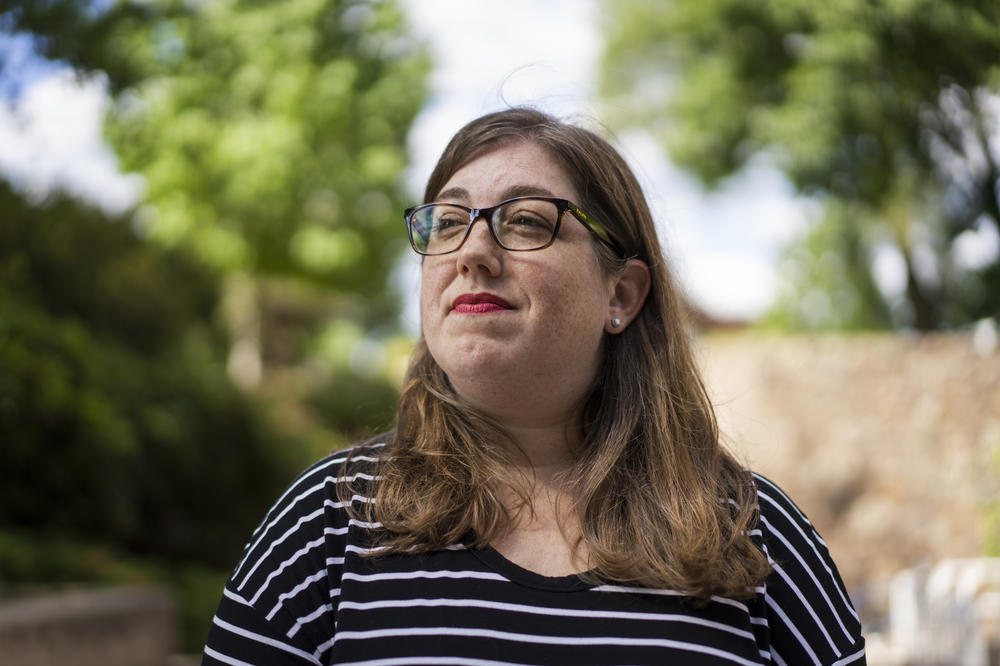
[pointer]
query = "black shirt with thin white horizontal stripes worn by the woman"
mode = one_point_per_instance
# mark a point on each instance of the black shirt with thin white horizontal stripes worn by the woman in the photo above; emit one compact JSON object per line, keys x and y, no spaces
{"x":304,"y":594}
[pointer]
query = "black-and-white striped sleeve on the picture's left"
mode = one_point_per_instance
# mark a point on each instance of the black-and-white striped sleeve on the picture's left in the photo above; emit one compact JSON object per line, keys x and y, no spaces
{"x":279,"y":605}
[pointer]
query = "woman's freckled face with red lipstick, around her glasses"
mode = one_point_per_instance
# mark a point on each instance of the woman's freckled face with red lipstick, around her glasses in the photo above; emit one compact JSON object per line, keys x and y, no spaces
{"x":516,"y":332}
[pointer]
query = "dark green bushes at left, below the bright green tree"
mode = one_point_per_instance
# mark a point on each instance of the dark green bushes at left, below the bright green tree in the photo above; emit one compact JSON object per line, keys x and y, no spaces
{"x":126,"y":429}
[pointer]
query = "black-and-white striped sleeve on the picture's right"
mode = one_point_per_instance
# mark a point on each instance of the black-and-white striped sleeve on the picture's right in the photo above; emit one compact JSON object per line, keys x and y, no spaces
{"x":810,"y":617}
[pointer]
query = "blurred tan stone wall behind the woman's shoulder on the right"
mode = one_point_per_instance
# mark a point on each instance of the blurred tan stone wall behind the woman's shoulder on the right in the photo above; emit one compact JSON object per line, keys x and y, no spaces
{"x":890,"y":444}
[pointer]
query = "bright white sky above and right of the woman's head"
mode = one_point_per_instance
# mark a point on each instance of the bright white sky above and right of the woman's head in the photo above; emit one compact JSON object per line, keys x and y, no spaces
{"x":724,"y":245}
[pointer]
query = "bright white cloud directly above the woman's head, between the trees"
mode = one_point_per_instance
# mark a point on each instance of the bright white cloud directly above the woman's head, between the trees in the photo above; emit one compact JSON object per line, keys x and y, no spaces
{"x":489,"y":56}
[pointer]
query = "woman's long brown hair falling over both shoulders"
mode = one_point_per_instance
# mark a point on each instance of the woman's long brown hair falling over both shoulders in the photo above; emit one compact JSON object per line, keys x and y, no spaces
{"x":660,"y":501}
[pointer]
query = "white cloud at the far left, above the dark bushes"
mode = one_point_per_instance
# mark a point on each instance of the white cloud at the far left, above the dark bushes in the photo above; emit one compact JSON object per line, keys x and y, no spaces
{"x":50,"y":138}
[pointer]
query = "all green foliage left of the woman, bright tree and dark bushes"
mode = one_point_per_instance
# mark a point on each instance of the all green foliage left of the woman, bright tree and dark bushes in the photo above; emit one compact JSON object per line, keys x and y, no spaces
{"x":270,"y":136}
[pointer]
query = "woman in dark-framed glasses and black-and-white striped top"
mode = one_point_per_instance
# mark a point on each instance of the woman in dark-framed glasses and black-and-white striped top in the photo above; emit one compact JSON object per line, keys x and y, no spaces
{"x":555,"y":490}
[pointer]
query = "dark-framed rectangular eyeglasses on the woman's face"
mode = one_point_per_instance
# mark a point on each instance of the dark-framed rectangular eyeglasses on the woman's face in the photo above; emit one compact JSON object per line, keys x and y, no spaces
{"x":519,"y":225}
